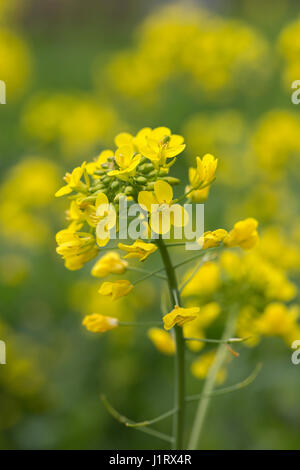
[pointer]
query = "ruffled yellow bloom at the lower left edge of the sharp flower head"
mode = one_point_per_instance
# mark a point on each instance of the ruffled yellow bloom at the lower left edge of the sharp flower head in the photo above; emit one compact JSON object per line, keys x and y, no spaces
{"x":75,"y":248}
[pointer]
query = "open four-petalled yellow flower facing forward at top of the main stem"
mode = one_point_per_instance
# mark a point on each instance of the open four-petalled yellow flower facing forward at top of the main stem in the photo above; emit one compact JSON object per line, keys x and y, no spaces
{"x":164,"y":212}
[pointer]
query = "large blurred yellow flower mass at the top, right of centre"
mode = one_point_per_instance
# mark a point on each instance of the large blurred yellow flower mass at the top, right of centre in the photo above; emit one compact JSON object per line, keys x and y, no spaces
{"x":171,"y":39}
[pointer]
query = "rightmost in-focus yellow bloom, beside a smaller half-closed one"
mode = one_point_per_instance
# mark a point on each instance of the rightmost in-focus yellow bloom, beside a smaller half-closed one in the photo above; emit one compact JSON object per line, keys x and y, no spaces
{"x":243,"y":234}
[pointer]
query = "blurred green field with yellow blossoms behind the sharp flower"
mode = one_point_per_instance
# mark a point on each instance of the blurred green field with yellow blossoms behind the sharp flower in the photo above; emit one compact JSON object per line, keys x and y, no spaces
{"x":77,"y":73}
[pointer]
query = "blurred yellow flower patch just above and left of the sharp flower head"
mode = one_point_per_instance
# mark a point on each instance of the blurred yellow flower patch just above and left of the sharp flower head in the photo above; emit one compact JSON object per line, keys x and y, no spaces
{"x":76,"y":121}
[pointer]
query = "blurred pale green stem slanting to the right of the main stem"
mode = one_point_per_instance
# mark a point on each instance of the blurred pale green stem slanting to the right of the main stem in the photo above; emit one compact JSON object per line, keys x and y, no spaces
{"x":210,"y":383}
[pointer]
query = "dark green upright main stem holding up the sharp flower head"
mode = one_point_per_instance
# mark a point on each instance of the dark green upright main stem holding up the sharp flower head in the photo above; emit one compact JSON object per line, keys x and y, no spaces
{"x":178,"y":425}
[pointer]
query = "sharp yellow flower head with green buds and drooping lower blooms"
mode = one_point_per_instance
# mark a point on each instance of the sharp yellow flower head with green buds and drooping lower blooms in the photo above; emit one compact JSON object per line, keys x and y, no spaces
{"x":138,"y":170}
